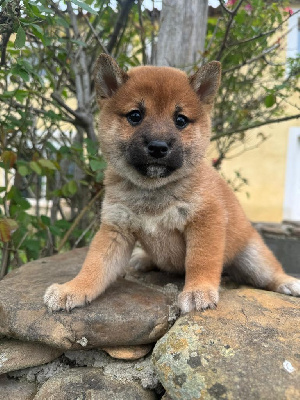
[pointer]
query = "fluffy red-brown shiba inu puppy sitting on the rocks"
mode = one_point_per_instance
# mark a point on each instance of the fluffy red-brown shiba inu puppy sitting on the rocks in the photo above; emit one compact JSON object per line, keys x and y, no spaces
{"x":160,"y":191}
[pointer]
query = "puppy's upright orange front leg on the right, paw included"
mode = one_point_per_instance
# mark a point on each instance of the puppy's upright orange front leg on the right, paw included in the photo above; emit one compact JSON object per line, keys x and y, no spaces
{"x":205,"y":244}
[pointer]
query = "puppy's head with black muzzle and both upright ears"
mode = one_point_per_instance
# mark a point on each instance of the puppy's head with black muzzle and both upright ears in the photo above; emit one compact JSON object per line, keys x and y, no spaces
{"x":154,"y":121}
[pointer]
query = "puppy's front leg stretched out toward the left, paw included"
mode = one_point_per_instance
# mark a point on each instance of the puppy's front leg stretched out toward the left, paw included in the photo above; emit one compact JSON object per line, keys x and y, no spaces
{"x":108,"y":254}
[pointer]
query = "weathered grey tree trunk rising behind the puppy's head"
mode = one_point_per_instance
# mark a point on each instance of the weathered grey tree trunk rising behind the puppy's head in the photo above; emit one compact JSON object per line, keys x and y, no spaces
{"x":182,"y":33}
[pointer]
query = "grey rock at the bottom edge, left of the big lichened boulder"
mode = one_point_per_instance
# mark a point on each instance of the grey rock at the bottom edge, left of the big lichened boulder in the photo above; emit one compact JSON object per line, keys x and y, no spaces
{"x":90,"y":383}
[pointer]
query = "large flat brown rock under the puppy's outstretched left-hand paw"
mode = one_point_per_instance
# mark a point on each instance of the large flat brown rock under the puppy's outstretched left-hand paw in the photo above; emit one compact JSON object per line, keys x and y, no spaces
{"x":128,"y":313}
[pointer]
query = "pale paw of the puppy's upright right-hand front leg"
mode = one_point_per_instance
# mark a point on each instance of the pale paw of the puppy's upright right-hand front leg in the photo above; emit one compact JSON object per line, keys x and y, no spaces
{"x":198,"y":299}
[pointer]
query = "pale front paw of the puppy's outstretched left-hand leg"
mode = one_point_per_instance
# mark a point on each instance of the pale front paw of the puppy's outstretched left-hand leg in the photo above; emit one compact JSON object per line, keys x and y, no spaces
{"x":64,"y":297}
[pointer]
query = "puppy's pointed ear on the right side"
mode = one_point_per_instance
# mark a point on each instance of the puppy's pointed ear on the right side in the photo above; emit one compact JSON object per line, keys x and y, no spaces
{"x":206,"y":82}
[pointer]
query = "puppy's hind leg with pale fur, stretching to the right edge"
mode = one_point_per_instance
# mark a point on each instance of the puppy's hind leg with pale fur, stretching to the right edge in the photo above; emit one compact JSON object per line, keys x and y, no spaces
{"x":257,"y":266}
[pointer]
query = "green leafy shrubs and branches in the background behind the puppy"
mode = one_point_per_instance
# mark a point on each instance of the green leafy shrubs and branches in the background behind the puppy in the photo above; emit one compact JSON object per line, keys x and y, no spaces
{"x":51,"y":164}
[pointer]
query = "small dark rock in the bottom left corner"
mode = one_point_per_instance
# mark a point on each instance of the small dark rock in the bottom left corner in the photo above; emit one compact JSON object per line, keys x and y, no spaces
{"x":14,"y":390}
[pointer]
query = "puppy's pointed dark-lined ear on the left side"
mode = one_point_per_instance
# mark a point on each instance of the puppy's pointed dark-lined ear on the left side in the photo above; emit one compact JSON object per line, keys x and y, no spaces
{"x":108,"y":76}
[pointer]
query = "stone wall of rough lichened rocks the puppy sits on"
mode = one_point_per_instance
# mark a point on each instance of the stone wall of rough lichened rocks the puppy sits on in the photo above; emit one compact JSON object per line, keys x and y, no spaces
{"x":125,"y":345}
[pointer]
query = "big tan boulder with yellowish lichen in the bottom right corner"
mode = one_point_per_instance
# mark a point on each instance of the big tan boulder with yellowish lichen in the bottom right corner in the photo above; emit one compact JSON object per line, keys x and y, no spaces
{"x":246,"y":349}
